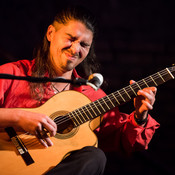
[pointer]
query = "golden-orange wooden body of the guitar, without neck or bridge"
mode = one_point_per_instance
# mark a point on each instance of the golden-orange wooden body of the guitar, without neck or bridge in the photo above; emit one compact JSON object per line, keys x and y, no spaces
{"x":46,"y":158}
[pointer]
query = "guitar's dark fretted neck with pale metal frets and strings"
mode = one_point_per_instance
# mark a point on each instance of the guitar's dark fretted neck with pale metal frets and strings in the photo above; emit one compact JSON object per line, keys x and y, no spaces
{"x":101,"y":106}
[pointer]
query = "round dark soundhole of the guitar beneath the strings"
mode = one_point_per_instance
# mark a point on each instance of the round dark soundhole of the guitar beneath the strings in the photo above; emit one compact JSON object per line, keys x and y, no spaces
{"x":64,"y":124}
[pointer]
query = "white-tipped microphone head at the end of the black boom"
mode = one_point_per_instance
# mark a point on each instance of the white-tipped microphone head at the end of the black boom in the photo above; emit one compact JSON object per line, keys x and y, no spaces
{"x":95,"y":81}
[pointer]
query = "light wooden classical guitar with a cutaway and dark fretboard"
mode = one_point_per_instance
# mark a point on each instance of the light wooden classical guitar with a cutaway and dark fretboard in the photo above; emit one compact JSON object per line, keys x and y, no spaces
{"x":76,"y":116}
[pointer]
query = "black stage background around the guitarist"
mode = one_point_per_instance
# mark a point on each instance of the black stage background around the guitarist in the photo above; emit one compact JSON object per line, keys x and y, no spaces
{"x":135,"y":39}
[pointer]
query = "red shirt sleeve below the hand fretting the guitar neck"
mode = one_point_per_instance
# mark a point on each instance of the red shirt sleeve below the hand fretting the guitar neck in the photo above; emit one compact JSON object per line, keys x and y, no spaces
{"x":119,"y":132}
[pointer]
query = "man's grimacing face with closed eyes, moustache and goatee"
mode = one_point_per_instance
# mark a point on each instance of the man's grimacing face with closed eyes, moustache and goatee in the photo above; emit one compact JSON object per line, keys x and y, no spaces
{"x":69,"y":44}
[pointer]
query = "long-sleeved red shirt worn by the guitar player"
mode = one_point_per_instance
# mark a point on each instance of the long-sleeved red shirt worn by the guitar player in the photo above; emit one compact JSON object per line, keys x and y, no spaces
{"x":117,"y":132}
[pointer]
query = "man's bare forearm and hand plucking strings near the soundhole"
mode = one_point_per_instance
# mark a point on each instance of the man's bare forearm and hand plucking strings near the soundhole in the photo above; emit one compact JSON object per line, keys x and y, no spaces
{"x":34,"y":123}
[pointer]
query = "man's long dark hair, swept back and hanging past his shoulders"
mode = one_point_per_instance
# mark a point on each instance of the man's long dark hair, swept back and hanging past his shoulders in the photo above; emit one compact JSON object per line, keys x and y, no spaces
{"x":41,"y":54}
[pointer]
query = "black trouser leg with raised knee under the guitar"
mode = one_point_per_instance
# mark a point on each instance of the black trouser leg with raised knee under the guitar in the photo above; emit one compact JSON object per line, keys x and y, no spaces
{"x":87,"y":161}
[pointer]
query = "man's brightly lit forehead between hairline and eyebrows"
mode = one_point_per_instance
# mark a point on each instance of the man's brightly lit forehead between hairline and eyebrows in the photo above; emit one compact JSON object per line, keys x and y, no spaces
{"x":75,"y":28}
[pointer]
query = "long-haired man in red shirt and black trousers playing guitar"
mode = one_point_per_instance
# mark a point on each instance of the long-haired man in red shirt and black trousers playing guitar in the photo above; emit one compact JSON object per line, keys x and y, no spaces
{"x":68,"y":44}
